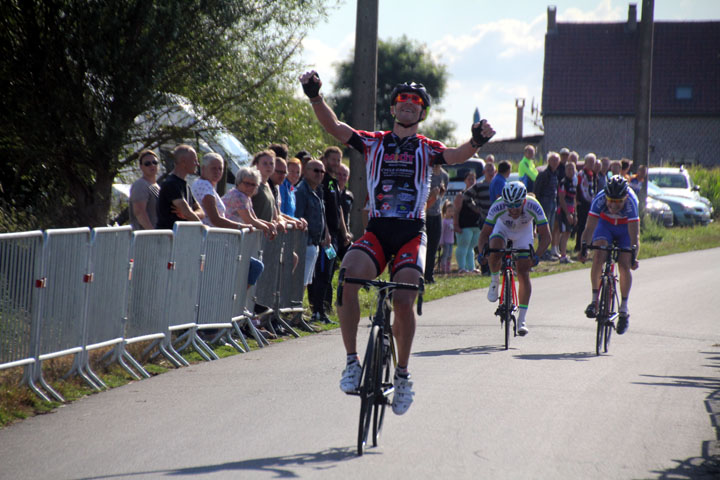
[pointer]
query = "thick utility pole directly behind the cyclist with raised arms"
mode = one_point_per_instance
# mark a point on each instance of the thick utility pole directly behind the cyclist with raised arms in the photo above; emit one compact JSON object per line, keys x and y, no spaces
{"x":364,"y":91}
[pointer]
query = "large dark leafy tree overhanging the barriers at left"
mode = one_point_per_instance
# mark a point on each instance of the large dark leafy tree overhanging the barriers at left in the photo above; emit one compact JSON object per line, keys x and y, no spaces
{"x":75,"y":74}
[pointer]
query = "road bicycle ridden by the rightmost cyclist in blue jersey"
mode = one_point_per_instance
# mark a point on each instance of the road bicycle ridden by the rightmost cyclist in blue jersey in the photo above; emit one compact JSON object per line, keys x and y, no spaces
{"x":608,"y":297}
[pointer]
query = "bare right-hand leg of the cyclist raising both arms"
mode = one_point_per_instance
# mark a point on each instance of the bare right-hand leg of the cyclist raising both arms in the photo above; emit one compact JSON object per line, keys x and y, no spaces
{"x":403,"y":304}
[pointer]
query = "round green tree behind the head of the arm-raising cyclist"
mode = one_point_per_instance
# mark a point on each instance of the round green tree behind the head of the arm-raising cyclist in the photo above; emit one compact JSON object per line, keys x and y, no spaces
{"x":399,"y":61}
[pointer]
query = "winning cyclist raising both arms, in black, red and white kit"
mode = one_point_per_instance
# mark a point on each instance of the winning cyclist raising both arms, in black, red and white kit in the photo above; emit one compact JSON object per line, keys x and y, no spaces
{"x":398,"y":168}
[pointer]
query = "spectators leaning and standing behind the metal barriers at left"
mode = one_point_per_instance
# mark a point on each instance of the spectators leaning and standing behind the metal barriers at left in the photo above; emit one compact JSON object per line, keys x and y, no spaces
{"x":274,"y":193}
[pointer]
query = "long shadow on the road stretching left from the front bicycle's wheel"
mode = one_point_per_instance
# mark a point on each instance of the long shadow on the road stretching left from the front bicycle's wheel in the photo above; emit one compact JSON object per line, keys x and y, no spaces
{"x":281,"y":467}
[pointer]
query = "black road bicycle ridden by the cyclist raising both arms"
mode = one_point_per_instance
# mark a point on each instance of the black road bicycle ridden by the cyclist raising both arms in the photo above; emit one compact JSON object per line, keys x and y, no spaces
{"x":376,"y":383}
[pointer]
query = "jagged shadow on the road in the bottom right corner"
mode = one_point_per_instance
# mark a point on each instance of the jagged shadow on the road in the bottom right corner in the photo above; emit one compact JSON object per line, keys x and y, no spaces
{"x":707,"y":465}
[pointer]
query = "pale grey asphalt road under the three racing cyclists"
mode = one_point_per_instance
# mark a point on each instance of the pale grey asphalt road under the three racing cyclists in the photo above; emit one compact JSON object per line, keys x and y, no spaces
{"x":546,"y":408}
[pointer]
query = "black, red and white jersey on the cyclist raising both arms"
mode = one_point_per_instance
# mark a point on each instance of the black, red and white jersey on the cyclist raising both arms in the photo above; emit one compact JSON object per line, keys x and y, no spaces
{"x":398,"y":172}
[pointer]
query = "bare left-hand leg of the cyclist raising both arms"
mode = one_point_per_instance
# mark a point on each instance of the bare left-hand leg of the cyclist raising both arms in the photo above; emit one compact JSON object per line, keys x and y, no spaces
{"x":357,"y":264}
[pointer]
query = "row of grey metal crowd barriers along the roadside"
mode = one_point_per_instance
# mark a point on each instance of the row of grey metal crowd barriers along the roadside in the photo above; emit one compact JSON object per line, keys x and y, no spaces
{"x":71,"y":291}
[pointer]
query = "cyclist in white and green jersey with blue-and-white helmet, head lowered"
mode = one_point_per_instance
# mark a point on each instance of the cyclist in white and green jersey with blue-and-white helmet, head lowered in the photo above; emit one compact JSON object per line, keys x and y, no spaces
{"x":511,"y":218}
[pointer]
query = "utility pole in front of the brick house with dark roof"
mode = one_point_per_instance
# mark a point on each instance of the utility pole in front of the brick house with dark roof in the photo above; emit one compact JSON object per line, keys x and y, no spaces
{"x":641,"y":145}
